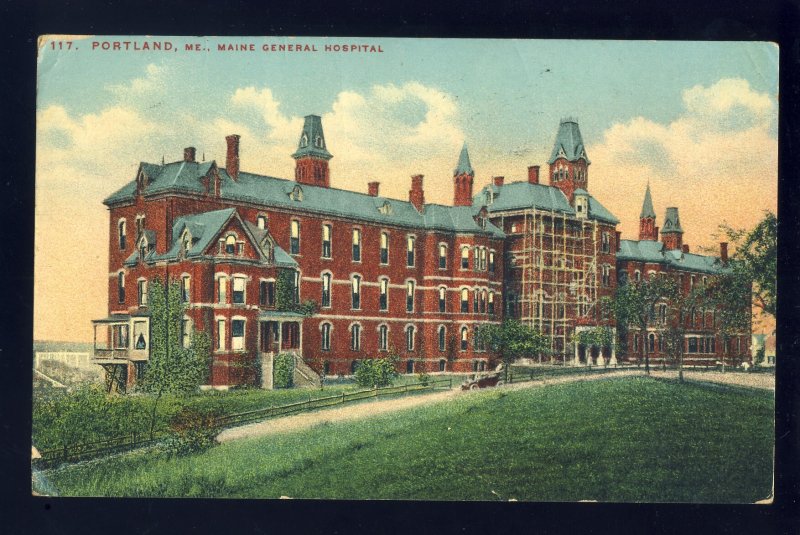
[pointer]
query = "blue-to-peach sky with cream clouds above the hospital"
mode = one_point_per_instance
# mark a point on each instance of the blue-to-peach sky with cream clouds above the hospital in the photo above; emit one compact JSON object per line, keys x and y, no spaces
{"x":697,"y":120}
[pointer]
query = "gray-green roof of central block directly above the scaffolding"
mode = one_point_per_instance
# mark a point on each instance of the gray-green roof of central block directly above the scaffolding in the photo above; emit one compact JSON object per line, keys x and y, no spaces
{"x":522,"y":195}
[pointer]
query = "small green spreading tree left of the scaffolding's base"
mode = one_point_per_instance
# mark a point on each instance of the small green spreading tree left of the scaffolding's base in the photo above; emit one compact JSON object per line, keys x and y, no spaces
{"x":511,"y":340}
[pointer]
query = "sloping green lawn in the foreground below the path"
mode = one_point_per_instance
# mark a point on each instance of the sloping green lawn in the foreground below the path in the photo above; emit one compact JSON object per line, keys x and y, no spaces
{"x":625,"y":439}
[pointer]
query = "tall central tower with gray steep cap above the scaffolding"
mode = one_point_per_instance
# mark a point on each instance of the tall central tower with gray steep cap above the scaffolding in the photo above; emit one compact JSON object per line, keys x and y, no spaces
{"x":568,"y":161}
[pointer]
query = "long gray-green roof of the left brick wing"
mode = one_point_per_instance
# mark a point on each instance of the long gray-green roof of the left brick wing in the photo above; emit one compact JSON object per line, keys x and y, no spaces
{"x":274,"y":192}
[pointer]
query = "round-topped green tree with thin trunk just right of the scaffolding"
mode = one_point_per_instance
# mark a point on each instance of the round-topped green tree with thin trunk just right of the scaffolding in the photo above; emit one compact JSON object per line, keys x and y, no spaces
{"x":634,"y":304}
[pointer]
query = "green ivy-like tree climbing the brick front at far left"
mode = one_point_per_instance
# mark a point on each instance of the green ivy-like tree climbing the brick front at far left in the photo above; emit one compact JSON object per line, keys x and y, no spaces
{"x":172,"y":368}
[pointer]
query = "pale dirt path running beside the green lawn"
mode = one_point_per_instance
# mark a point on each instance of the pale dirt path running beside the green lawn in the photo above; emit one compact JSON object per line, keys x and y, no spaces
{"x":374,"y":408}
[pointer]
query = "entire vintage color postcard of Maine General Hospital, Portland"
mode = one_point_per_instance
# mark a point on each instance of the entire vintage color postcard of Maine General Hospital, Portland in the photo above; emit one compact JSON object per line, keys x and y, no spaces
{"x":409,"y":269}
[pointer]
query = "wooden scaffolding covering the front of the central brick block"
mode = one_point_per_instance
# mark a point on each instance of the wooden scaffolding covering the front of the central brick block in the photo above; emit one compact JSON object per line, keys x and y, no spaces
{"x":558,"y":287}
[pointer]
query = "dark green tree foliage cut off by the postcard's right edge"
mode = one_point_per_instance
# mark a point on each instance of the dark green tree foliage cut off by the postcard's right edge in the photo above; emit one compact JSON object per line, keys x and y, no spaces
{"x":755,"y":260}
